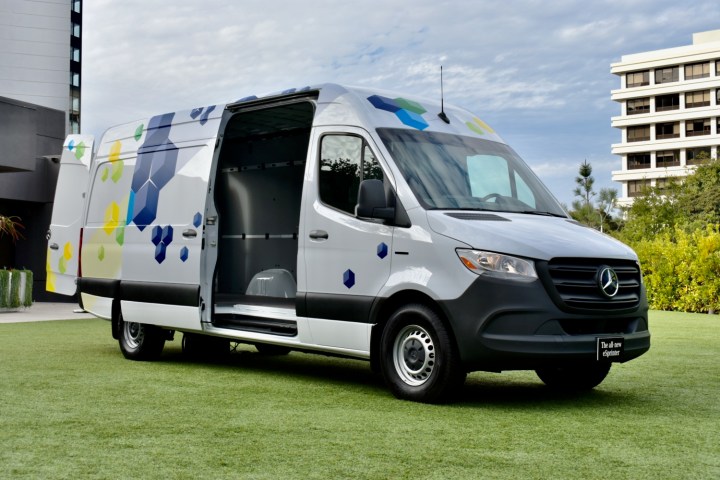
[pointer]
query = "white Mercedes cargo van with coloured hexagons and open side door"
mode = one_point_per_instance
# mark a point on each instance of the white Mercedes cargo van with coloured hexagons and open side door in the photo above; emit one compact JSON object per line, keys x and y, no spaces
{"x":342,"y":221}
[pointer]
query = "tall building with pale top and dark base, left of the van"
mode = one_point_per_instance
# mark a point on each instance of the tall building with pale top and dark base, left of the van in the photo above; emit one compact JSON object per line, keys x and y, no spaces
{"x":40,"y":84}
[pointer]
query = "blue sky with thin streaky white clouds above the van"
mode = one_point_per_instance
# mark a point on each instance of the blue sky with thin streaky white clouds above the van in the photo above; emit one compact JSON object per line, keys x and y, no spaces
{"x":538,"y":72}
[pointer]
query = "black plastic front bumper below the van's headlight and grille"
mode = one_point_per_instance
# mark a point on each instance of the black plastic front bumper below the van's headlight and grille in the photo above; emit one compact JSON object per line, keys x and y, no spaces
{"x":508,"y":325}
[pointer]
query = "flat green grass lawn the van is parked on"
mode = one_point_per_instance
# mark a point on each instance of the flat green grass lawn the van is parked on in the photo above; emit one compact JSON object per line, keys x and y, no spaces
{"x":72,"y":407}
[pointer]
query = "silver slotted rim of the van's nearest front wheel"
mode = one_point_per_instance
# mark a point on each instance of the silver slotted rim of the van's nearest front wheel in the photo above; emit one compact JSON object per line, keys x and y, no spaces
{"x":414,"y":355}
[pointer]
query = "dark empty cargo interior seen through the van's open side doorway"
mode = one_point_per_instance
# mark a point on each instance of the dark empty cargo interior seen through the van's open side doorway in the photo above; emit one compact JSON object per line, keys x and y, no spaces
{"x":258,"y":191}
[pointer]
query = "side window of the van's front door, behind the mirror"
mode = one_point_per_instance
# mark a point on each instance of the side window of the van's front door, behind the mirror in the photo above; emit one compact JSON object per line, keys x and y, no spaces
{"x":345,"y":161}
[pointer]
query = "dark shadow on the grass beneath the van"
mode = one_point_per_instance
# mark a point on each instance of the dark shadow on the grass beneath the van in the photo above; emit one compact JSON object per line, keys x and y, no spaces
{"x":481,"y":390}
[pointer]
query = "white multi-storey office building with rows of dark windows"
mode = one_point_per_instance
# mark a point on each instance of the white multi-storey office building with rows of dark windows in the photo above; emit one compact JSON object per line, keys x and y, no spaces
{"x":670,"y":113}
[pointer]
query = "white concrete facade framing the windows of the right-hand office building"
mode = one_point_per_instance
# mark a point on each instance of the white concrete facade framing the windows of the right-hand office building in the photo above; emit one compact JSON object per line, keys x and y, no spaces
{"x":705,"y":48}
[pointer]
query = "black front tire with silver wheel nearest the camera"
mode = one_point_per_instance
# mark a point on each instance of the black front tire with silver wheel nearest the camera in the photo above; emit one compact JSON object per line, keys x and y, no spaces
{"x":419,"y":359}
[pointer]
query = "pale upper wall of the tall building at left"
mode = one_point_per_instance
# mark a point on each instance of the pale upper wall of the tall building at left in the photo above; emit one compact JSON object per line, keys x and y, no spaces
{"x":35,"y":52}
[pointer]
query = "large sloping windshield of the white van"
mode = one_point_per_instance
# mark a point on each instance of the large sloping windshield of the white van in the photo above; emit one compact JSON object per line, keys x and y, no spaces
{"x":453,"y":172}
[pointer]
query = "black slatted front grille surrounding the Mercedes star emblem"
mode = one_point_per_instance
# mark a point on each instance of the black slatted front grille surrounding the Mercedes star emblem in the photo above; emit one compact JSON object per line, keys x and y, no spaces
{"x":575,"y":283}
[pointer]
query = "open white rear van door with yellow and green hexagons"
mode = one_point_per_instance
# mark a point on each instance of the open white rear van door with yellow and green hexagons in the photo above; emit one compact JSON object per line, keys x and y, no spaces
{"x":68,"y":209}
